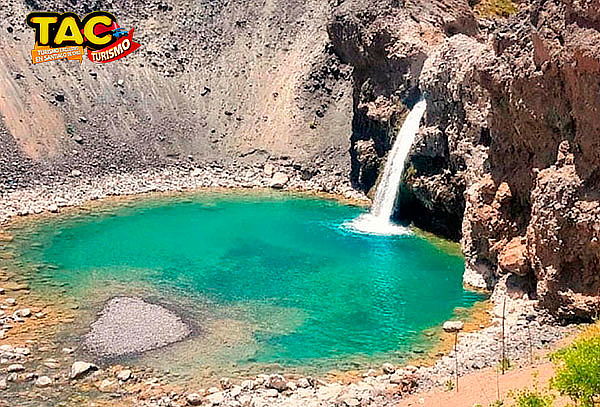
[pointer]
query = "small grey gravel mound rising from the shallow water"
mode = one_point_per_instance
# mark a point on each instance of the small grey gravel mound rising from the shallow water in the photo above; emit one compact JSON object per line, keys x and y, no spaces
{"x":131,"y":325}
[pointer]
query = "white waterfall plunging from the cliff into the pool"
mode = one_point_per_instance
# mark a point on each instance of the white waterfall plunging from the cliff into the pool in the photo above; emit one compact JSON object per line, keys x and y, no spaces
{"x":378,"y":220}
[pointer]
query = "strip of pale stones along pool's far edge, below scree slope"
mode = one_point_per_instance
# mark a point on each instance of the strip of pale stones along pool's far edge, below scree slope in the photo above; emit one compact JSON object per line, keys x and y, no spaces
{"x":78,"y":189}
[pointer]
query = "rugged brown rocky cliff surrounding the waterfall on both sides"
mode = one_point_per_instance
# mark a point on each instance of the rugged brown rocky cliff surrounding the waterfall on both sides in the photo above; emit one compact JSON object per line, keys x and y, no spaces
{"x":508,"y":158}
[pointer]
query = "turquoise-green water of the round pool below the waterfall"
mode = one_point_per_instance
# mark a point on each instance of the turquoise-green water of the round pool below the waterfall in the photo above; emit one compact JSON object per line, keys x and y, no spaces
{"x":300,"y":288}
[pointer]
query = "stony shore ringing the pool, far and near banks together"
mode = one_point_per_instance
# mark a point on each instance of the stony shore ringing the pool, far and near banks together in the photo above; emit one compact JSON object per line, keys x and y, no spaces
{"x":527,"y":330}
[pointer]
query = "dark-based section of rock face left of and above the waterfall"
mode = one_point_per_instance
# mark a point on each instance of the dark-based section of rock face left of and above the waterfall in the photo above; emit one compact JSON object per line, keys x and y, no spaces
{"x":387,"y":44}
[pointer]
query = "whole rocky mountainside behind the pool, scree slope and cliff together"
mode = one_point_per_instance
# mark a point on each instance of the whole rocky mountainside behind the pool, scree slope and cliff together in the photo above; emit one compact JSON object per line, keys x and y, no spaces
{"x":507,"y":159}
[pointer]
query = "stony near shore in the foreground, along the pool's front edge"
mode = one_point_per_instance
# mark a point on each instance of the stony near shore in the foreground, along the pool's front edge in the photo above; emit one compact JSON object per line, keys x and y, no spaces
{"x":25,"y":367}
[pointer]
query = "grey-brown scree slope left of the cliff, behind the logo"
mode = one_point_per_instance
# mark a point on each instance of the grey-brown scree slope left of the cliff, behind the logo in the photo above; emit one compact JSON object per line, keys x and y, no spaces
{"x":215,"y":81}
